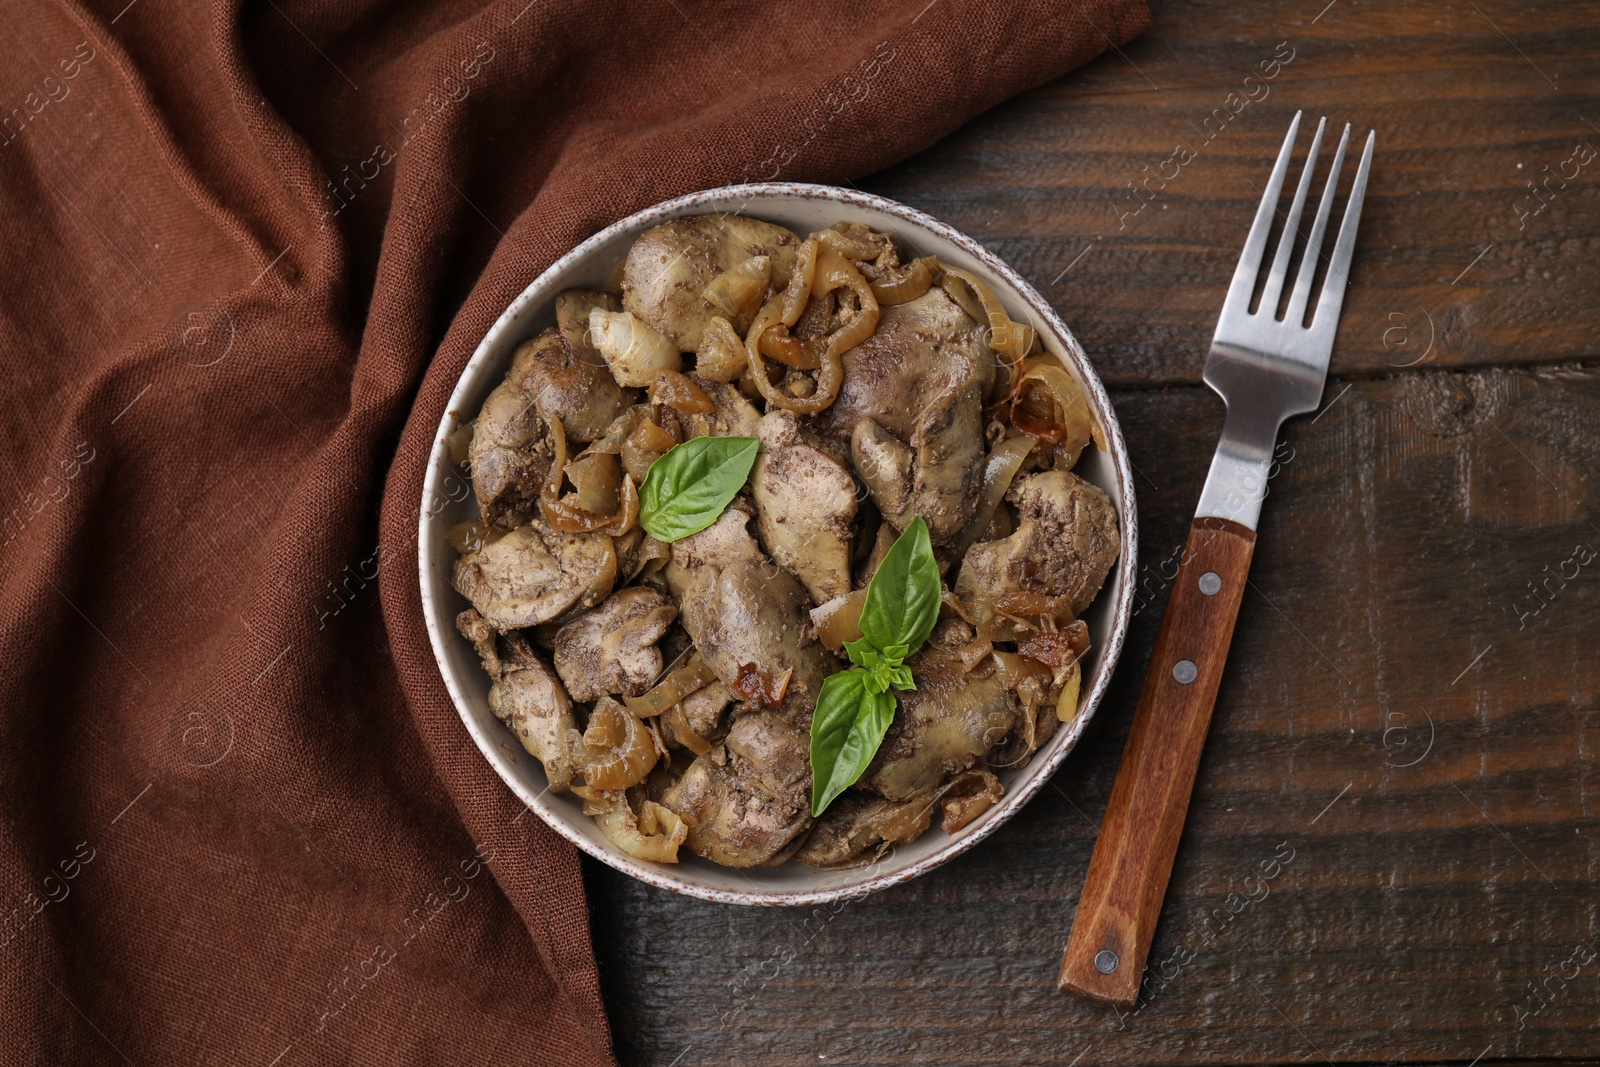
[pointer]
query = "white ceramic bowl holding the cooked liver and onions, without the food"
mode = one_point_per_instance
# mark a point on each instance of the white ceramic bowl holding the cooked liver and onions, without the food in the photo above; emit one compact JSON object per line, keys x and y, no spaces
{"x":802,"y":209}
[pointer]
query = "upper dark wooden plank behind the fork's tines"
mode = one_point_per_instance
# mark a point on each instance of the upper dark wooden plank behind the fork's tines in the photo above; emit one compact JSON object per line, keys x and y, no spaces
{"x":1465,"y":119}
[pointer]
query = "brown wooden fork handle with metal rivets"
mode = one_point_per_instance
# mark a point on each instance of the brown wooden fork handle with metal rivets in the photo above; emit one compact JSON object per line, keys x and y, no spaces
{"x":1134,"y":855}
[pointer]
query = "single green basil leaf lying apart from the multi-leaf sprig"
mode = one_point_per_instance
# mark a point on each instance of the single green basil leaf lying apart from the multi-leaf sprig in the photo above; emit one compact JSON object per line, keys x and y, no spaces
{"x":692,"y":484}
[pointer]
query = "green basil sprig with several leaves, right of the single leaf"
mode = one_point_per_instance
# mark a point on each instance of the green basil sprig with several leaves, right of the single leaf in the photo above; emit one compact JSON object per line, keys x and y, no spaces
{"x":857,"y":706}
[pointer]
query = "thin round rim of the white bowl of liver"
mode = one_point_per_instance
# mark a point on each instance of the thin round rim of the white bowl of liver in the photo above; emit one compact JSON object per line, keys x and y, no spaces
{"x":1046,"y":762}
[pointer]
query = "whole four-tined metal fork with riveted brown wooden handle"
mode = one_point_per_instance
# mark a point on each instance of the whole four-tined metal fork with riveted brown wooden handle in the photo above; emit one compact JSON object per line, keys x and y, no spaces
{"x":1266,"y":369}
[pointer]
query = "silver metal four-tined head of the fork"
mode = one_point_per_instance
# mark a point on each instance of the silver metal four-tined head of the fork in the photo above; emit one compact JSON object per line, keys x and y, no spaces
{"x":1266,"y":366}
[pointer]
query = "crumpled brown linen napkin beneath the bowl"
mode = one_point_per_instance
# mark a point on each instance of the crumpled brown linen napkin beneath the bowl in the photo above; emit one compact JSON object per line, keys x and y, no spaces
{"x":247,"y":250}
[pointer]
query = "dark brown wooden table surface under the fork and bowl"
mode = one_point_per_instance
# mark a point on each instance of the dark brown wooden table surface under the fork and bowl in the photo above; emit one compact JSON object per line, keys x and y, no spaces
{"x":1410,"y":714}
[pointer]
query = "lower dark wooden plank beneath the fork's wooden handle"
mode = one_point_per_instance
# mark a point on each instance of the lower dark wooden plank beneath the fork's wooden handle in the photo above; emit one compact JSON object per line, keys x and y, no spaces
{"x":1414,"y":908}
